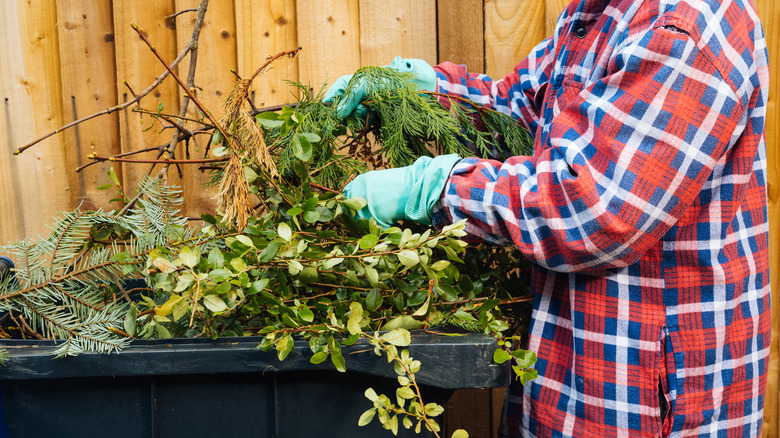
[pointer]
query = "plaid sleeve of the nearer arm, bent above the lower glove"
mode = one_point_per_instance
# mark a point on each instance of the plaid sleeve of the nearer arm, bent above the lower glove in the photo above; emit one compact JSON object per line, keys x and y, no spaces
{"x":624,"y":157}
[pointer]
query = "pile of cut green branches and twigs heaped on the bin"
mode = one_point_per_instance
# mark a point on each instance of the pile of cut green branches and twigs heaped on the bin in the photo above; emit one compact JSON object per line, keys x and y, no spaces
{"x":285,"y":255}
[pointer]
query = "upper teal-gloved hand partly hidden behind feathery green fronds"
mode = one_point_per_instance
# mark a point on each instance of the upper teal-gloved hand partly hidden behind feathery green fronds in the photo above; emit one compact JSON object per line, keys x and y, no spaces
{"x":424,"y":78}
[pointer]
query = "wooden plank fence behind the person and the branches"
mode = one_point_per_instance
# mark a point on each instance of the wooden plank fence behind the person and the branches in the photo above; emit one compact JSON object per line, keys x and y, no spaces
{"x":64,"y":60}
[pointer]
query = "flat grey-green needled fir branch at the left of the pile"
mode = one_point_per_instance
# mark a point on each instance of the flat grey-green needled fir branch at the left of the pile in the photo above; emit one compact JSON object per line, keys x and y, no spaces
{"x":70,"y":286}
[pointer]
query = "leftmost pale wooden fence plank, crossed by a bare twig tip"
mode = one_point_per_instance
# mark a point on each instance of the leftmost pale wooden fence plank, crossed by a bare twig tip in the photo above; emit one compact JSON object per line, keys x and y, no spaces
{"x":33,"y":185}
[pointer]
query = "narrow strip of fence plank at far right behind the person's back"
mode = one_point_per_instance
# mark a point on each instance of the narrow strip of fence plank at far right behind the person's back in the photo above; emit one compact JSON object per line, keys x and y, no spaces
{"x":769,"y":12}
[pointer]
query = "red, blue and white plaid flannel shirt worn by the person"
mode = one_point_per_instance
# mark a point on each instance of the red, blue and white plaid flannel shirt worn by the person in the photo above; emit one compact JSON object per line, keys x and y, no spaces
{"x":644,"y":210}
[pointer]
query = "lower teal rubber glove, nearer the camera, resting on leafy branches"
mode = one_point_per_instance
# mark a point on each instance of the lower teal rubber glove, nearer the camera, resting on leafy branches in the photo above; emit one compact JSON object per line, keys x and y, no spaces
{"x":403,"y":193}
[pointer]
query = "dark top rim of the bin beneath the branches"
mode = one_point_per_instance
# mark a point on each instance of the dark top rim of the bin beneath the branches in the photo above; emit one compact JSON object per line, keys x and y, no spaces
{"x":450,"y":362}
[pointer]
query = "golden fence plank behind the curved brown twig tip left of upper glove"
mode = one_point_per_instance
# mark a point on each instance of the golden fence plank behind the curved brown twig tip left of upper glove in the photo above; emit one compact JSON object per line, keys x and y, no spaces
{"x":265,"y":28}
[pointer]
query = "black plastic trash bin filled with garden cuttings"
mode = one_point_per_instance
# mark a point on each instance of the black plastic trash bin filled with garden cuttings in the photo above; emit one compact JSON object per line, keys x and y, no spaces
{"x":223,"y":388}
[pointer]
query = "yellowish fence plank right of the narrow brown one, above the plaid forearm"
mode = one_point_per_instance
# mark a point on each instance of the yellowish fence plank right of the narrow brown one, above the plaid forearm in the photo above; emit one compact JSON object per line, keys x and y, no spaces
{"x":512,"y":29}
